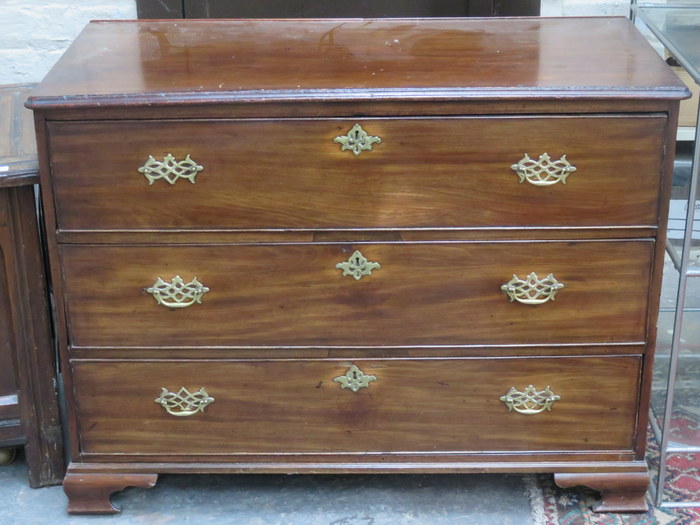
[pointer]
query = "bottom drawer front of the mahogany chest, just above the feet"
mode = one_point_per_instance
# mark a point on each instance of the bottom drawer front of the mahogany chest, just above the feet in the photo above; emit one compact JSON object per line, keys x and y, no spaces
{"x":407,"y":405}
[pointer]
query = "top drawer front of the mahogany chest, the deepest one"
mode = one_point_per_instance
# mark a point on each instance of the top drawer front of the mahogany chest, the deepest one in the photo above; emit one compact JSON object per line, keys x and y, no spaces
{"x":425,"y":172}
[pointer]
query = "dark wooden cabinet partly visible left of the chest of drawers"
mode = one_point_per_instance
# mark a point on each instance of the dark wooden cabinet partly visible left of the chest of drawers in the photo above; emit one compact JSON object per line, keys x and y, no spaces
{"x":28,"y":405}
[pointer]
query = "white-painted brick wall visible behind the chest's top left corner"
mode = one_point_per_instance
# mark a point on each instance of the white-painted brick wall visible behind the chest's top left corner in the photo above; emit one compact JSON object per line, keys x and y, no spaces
{"x":34,"y":33}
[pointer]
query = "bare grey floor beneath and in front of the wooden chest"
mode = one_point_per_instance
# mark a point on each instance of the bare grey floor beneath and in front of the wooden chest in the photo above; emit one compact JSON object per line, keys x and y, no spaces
{"x":477,"y":499}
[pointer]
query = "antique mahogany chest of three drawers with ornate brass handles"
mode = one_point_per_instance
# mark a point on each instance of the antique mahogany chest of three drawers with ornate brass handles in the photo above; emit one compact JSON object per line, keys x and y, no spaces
{"x":357,"y":246}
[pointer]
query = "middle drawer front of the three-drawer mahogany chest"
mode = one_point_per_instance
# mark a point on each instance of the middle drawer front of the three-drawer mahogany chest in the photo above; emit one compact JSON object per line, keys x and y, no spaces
{"x":297,"y":294}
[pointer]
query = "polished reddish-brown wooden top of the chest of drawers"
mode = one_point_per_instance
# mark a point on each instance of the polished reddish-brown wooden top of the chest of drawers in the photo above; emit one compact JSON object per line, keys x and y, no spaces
{"x":213,"y":61}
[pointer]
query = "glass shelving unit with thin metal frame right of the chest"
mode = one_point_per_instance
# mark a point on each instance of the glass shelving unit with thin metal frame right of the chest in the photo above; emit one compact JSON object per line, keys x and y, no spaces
{"x":674,"y":451}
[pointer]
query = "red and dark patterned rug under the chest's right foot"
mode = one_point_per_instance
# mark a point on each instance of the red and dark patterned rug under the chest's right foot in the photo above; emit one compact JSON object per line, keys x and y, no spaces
{"x":552,"y":505}
